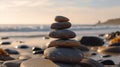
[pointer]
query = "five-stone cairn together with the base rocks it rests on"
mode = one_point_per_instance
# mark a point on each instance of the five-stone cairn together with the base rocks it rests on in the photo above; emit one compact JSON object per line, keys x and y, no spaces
{"x":61,"y":51}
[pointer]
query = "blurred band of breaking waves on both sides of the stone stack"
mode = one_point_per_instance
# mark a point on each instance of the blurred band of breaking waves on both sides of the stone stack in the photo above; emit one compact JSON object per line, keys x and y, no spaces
{"x":32,"y":28}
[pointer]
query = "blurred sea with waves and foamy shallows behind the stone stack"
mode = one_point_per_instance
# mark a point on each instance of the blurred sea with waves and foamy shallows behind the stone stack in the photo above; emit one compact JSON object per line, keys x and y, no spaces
{"x":40,"y":30}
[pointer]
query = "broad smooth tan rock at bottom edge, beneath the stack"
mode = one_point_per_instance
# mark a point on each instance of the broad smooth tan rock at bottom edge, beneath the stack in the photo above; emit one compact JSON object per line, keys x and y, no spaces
{"x":40,"y":62}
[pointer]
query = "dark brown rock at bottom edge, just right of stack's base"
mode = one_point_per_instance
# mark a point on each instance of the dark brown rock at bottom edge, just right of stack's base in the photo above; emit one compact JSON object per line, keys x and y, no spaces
{"x":90,"y":63}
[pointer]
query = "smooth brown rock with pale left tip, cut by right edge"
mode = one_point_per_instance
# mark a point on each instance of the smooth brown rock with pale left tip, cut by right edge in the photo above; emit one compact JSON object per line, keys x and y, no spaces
{"x":113,"y":50}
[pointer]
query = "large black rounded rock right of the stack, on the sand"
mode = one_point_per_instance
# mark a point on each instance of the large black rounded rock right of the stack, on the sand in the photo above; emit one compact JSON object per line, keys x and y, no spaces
{"x":91,"y":41}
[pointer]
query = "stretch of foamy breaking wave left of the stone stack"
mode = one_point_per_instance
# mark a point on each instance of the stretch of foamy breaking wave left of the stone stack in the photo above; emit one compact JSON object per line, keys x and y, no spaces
{"x":23,"y":28}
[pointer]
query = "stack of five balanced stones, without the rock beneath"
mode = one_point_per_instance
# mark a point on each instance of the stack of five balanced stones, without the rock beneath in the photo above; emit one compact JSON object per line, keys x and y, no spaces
{"x":61,"y":50}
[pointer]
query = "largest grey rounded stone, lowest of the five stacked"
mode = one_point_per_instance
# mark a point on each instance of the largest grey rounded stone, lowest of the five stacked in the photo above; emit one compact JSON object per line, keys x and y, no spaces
{"x":65,"y":55}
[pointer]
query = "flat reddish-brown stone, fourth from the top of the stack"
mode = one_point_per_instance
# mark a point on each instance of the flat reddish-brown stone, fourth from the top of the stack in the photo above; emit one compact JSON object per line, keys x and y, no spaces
{"x":64,"y":43}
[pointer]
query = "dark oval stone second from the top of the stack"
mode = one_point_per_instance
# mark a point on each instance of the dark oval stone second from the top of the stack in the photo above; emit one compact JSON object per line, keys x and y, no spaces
{"x":62,"y":25}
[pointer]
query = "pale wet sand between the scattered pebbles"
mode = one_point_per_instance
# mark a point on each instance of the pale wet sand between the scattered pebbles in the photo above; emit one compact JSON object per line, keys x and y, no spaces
{"x":42,"y":43}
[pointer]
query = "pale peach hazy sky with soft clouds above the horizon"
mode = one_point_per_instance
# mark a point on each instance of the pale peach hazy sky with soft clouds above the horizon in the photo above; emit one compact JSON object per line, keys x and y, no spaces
{"x":44,"y":11}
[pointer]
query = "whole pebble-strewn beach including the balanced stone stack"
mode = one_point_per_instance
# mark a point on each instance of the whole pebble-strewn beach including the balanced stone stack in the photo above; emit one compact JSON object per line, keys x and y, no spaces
{"x":61,"y":47}
